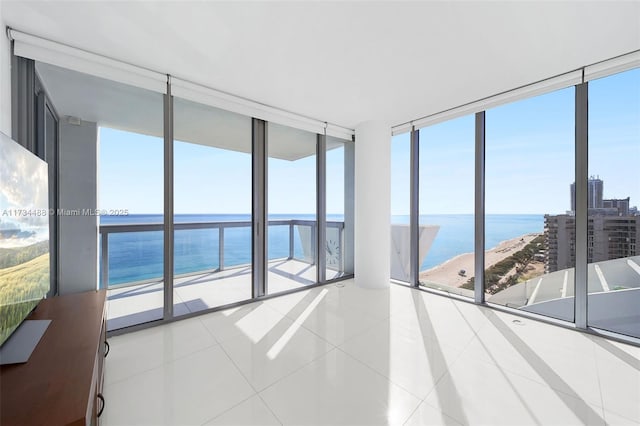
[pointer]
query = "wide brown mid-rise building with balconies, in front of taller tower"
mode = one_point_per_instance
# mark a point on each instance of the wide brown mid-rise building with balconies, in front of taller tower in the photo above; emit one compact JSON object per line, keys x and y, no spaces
{"x":608,"y":237}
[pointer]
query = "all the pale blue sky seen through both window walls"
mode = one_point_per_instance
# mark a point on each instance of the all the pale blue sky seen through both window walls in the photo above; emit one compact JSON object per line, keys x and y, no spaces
{"x":529,"y":162}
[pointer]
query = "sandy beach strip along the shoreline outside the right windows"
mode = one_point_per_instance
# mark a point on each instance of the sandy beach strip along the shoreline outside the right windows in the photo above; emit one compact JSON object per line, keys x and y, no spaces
{"x":448,"y":273}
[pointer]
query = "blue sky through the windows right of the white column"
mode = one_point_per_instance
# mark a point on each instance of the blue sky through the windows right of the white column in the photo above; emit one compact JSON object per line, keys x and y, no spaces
{"x":529,"y":153}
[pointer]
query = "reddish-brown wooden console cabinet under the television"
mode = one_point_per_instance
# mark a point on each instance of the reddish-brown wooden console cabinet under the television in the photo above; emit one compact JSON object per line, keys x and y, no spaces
{"x":61,"y":384}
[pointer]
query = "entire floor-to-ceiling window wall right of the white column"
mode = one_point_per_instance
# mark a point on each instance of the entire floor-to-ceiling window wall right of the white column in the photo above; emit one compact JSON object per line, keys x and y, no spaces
{"x":524,"y":156}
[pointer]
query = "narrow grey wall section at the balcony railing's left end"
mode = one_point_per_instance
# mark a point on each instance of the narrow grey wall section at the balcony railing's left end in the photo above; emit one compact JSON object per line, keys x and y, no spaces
{"x":78,"y":189}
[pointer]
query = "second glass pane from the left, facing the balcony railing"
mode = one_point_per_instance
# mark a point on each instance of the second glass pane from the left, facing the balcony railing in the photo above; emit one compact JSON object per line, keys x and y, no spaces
{"x":212,"y":207}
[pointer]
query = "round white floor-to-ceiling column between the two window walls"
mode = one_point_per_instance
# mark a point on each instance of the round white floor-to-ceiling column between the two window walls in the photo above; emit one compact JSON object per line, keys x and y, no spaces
{"x":372,"y":204}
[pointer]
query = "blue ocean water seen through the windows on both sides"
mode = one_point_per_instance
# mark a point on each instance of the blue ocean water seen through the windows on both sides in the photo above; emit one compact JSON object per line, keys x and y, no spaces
{"x":136,"y":256}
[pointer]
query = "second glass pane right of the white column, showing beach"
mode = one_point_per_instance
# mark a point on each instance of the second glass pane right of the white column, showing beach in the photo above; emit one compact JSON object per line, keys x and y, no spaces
{"x":447,"y":153}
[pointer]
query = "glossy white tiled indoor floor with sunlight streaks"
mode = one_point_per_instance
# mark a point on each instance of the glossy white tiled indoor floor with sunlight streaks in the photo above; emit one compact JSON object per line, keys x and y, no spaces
{"x":346,"y":355}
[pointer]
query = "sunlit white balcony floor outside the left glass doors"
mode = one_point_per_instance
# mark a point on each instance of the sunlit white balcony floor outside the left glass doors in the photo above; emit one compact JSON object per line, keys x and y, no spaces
{"x":142,"y":303}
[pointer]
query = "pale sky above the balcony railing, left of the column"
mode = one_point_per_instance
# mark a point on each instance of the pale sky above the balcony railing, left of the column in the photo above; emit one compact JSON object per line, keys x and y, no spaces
{"x":207,"y":179}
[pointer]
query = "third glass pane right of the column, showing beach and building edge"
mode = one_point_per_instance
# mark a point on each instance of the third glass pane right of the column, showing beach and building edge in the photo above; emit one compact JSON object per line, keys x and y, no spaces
{"x":530,"y":158}
